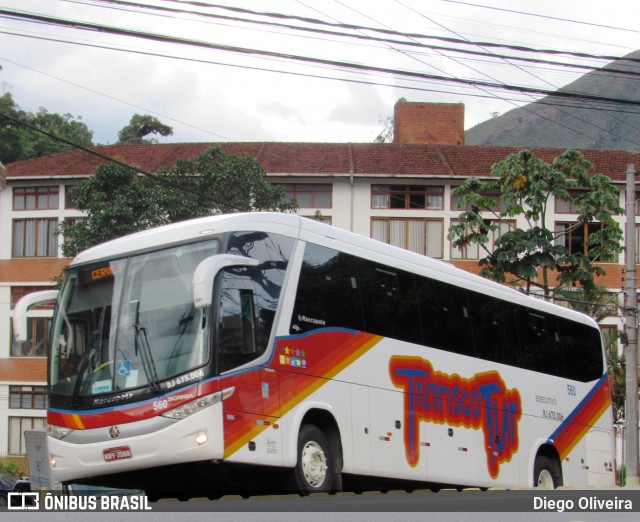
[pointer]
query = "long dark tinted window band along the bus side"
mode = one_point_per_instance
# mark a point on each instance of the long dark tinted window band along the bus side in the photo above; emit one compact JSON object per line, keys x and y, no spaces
{"x":340,"y":291}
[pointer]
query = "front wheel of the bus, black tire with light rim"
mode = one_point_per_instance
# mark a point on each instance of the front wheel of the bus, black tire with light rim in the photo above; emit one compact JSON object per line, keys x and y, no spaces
{"x":314,"y":468}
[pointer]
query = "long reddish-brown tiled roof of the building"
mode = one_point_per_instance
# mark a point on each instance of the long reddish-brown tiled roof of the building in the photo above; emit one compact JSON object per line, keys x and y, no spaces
{"x":316,"y":158}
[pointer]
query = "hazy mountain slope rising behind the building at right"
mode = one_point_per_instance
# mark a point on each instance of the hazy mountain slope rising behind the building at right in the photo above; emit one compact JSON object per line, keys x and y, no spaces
{"x":565,"y":123}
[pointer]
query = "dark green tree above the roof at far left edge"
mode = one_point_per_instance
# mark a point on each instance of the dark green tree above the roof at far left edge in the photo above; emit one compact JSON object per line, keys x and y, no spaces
{"x":18,"y":142}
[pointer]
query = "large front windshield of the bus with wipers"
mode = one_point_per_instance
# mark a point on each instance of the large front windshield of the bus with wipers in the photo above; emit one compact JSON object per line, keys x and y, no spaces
{"x":128,"y":323}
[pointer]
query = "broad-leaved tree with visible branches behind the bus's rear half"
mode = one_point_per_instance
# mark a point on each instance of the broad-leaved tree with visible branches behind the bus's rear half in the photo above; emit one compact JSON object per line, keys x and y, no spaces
{"x":526,"y":186}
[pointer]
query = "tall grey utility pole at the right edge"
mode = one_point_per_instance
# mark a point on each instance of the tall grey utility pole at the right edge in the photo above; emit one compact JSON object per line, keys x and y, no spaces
{"x":631,"y":329}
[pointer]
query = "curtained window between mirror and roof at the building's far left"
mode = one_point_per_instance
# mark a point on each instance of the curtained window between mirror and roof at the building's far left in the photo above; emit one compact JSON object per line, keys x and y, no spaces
{"x":35,"y":238}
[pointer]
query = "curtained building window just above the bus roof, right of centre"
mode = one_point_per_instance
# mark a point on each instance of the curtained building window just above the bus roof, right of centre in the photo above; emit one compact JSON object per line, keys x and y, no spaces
{"x":423,"y":236}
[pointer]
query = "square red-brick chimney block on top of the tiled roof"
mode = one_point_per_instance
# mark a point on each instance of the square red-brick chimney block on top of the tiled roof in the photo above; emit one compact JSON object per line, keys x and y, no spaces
{"x":428,"y":123}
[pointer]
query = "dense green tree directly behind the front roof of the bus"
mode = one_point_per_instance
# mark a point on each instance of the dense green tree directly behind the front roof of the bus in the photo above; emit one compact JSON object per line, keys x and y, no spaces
{"x":118,"y":201}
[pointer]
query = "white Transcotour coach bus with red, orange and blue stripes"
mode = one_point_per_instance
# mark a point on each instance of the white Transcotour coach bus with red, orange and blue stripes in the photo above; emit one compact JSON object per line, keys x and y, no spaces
{"x":230,"y":345}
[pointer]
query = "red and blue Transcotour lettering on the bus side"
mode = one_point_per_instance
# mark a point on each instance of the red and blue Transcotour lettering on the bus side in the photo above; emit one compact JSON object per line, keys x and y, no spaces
{"x":481,"y":402}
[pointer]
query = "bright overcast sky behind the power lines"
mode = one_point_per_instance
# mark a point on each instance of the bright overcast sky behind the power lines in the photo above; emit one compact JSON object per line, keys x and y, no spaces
{"x":213,"y":94}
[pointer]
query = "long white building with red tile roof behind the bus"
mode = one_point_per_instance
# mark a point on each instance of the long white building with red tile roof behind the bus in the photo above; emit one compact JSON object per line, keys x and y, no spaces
{"x":355,"y":186}
